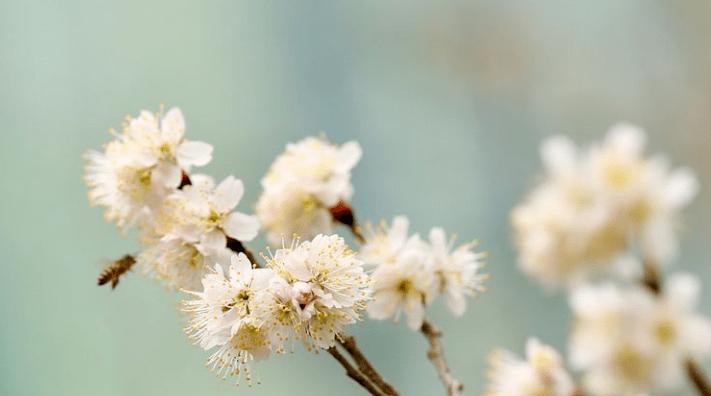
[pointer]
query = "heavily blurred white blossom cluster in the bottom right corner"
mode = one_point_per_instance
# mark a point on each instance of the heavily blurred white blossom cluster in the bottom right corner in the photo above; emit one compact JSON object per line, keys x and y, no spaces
{"x":628,"y":340}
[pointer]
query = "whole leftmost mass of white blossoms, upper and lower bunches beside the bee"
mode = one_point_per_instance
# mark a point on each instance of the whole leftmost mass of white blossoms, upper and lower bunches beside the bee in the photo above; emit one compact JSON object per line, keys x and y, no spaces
{"x":142,"y":179}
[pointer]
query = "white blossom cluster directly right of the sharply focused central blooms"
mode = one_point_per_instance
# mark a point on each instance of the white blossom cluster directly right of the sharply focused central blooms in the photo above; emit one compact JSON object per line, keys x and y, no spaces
{"x":410,"y":272}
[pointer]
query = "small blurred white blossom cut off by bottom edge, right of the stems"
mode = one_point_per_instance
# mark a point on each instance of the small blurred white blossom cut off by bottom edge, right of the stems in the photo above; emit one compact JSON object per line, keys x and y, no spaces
{"x":541,"y":373}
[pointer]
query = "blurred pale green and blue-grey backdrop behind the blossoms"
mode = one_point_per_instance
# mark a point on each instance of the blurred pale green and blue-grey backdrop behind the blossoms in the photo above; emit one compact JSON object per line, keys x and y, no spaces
{"x":448,"y":99}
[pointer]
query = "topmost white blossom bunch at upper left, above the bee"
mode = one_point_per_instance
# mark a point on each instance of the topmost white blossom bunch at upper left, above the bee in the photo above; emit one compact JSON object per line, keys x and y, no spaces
{"x":137,"y":170}
